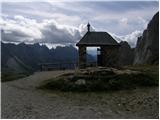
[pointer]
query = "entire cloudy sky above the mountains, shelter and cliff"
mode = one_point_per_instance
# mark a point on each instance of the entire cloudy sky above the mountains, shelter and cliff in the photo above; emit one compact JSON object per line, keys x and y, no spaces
{"x":65,"y":22}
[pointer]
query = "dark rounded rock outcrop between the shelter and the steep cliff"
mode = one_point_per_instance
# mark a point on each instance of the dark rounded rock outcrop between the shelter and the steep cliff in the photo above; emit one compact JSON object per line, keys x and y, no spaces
{"x":126,"y":54}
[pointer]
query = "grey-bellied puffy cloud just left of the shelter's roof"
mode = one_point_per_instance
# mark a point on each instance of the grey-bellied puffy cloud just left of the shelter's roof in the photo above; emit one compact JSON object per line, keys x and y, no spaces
{"x":56,"y":33}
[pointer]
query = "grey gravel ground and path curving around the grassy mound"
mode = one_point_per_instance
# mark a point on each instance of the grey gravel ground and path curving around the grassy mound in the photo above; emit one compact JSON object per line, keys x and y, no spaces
{"x":21,"y":99}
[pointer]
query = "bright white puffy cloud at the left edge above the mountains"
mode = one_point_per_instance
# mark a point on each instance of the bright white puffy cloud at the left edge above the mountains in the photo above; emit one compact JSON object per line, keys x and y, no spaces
{"x":19,"y":29}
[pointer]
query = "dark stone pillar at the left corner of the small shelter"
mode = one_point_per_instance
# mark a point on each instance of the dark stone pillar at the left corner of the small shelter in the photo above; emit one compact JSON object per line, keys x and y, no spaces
{"x":82,"y":57}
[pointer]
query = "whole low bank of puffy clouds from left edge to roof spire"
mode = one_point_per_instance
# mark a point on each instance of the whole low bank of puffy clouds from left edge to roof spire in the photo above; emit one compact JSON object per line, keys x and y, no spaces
{"x":21,"y":29}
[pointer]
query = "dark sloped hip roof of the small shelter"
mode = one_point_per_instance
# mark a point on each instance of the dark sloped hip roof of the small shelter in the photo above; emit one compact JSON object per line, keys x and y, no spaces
{"x":97,"y":39}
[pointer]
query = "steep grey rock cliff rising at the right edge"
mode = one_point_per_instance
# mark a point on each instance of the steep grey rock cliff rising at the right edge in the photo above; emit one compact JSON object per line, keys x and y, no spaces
{"x":147,"y":48}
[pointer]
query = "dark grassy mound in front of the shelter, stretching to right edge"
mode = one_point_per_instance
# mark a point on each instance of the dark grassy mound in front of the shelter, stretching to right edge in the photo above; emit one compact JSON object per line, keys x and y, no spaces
{"x":147,"y":76}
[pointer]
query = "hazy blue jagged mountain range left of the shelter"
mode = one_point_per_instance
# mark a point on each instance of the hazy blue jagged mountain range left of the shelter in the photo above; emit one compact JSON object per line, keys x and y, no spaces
{"x":24,"y":57}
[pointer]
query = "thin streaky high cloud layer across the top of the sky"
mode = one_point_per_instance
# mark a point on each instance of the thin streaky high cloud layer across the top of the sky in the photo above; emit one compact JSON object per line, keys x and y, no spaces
{"x":104,"y":15}
